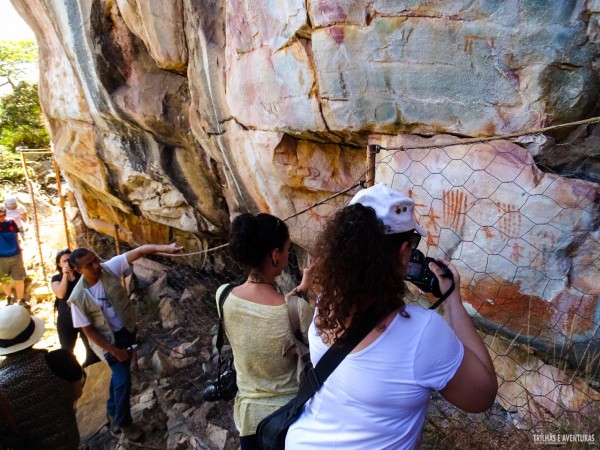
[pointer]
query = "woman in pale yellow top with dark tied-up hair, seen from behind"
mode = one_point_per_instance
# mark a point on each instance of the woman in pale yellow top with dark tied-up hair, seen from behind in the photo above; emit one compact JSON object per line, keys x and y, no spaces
{"x":256,"y":322}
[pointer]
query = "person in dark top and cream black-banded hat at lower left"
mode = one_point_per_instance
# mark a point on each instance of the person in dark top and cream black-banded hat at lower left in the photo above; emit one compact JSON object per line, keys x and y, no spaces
{"x":40,"y":387}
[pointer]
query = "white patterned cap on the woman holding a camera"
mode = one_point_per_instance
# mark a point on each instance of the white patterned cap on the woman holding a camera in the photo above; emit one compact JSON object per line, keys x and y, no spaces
{"x":396,"y":211}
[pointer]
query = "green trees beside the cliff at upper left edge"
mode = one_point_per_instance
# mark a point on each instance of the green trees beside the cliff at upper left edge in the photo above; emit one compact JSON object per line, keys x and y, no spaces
{"x":21,"y":122}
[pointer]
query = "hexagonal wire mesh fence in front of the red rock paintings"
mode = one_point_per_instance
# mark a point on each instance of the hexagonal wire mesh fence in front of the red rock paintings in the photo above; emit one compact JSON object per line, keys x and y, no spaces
{"x":525,"y":241}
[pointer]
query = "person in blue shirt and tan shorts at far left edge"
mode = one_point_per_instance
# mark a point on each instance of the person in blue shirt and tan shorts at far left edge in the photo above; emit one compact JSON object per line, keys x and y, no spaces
{"x":11,"y":259}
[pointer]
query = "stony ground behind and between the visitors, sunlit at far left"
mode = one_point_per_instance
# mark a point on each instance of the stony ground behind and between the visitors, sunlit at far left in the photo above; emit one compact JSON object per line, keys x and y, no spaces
{"x":175,"y":358}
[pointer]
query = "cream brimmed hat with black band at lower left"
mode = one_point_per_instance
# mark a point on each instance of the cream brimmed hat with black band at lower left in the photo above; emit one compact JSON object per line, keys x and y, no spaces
{"x":18,"y":329}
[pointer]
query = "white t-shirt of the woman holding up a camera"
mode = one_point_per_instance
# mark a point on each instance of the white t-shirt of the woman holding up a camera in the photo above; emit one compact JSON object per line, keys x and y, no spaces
{"x":377,"y":398}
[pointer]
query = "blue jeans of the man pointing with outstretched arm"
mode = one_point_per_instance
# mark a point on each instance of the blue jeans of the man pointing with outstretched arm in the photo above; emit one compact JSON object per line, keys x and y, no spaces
{"x":118,"y":406}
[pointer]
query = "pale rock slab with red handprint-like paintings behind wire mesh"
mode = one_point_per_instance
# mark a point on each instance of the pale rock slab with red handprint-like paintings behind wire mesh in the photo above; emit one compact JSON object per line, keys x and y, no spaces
{"x":522,"y":239}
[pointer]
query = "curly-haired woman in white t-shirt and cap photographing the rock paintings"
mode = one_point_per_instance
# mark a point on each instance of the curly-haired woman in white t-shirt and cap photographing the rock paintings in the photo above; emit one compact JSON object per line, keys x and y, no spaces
{"x":377,"y":397}
